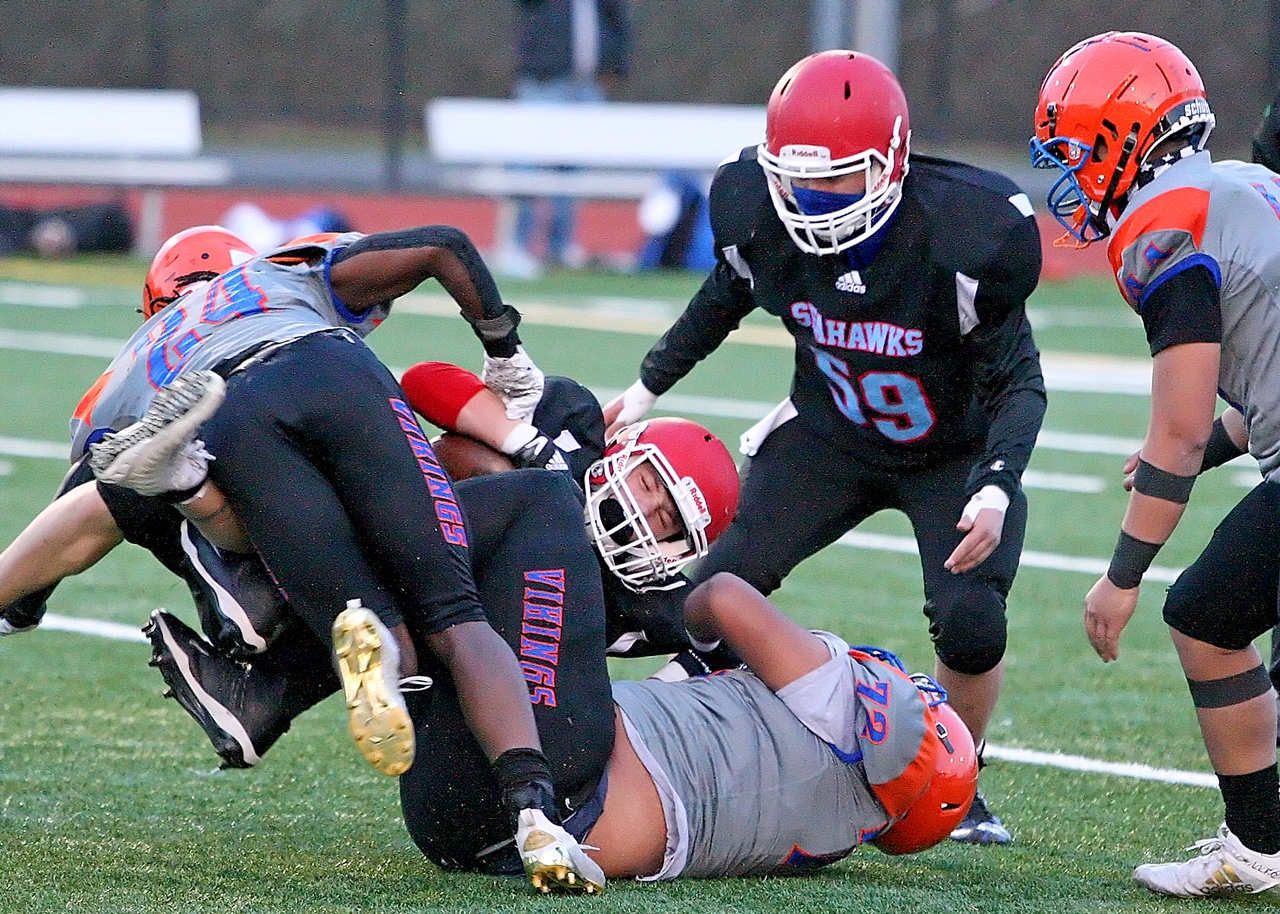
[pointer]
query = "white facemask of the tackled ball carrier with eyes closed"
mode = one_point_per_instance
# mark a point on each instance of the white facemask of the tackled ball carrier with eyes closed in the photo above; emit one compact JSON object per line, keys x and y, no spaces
{"x":620,"y":529}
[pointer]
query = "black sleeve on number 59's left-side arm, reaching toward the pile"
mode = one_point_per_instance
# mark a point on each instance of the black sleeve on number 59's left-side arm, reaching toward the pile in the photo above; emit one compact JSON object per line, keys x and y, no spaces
{"x":715,"y":312}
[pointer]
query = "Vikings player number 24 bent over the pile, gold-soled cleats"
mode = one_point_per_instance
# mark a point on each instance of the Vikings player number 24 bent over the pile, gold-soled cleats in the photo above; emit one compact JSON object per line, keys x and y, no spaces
{"x":309,"y":412}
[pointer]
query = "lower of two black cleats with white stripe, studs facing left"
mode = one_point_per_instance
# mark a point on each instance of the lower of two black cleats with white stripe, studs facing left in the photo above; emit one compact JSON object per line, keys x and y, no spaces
{"x":239,"y":707}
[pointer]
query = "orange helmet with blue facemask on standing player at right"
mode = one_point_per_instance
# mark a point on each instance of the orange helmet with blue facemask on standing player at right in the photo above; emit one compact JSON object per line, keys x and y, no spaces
{"x":1104,"y":107}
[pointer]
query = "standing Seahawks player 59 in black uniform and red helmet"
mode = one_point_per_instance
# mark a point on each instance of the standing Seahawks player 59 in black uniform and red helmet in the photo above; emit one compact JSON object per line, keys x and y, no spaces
{"x":917,"y":382}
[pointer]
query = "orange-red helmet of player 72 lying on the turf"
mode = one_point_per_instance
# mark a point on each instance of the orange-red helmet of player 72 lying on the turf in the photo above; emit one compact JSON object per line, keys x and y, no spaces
{"x":952,"y":789}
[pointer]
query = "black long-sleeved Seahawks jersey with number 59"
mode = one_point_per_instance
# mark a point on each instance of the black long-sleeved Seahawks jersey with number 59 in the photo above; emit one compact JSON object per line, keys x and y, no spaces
{"x":904,"y":362}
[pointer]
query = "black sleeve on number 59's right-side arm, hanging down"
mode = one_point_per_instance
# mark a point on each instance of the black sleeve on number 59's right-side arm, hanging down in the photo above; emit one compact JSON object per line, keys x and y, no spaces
{"x":1011,"y":383}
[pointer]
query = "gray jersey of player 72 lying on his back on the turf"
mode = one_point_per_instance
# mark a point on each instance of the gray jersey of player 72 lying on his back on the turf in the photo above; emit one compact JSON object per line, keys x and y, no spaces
{"x":747,"y":787}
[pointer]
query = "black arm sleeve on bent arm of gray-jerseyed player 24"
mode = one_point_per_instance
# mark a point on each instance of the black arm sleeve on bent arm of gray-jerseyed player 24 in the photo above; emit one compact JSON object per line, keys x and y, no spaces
{"x":497,"y":327}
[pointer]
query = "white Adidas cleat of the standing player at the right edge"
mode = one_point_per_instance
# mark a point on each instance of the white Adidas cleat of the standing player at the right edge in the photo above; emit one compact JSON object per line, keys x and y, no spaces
{"x":1224,"y":867}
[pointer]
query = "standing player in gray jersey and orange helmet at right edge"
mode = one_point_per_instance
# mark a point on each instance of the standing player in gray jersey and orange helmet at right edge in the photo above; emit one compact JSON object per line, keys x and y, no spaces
{"x":1195,"y":245}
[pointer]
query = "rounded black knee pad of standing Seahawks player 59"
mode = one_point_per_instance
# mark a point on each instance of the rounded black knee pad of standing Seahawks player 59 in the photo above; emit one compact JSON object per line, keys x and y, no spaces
{"x":970,"y":629}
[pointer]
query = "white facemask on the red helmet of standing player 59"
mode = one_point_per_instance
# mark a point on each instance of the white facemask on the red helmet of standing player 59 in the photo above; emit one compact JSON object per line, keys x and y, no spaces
{"x":842,"y":230}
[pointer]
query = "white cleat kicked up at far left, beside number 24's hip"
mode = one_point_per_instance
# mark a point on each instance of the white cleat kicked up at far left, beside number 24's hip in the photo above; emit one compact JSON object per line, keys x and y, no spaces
{"x":161,"y":454}
